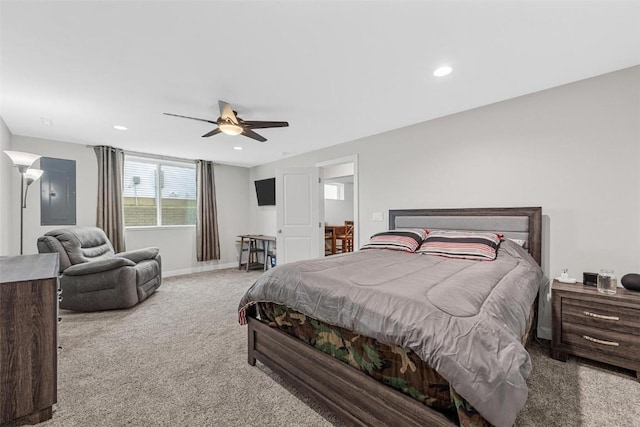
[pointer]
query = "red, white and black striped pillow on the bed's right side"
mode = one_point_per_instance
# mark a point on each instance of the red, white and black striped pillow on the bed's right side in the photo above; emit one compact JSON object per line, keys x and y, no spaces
{"x":461,"y":244}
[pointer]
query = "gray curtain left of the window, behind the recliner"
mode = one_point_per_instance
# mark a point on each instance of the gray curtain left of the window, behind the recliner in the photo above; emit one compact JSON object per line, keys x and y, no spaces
{"x":110,"y":176}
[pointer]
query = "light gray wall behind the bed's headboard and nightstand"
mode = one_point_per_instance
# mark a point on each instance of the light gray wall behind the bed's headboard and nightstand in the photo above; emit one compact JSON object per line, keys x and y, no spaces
{"x":574,"y":150}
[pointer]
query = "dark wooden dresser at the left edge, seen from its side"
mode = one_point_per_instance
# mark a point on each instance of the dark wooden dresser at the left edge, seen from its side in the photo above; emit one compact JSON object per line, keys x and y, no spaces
{"x":28,"y":337}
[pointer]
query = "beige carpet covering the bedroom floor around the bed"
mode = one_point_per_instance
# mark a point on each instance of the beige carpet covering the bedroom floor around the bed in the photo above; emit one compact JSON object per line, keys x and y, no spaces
{"x":179,"y":359}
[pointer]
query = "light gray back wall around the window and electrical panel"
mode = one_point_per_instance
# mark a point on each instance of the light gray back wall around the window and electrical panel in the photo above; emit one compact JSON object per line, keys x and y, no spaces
{"x":177,"y":244}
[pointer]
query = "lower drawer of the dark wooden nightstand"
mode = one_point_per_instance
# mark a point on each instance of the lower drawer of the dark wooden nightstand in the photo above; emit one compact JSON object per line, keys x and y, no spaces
{"x":601,"y":341}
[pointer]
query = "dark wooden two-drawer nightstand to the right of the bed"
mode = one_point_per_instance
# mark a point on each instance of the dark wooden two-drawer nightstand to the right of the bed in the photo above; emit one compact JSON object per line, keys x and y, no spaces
{"x":596,"y":326}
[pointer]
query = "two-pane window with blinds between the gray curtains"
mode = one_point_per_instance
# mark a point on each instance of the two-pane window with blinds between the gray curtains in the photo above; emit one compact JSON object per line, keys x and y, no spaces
{"x":158,"y":192}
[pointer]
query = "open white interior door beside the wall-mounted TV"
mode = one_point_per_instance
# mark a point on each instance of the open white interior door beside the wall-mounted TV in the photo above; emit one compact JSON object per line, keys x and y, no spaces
{"x":298,"y":214}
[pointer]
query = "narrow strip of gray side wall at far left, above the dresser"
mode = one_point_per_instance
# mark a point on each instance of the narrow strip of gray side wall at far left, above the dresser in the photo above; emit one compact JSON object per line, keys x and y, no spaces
{"x":7,"y":202}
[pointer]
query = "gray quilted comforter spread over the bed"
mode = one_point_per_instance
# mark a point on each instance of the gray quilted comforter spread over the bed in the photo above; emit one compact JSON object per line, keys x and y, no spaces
{"x":464,"y":318}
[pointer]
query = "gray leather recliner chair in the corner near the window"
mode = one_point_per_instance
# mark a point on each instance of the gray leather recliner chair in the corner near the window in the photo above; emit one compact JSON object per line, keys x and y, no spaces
{"x":93,"y":277}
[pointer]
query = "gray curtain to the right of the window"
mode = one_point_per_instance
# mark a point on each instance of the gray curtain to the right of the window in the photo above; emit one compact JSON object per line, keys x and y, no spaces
{"x":207,"y":241}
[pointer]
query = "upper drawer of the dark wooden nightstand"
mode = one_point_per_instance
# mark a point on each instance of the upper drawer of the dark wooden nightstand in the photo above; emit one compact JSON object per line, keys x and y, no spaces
{"x":601,"y":315}
